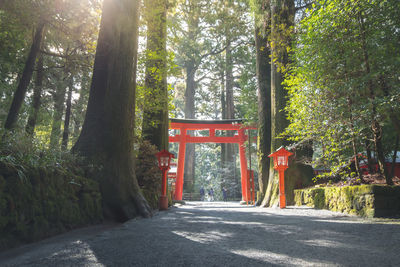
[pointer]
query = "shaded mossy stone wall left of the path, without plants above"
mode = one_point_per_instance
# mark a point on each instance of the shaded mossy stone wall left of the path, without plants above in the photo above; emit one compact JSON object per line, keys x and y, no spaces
{"x":40,"y":202}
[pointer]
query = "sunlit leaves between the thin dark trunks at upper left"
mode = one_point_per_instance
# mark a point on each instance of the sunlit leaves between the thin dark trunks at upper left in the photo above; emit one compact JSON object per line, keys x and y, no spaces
{"x":68,"y":50}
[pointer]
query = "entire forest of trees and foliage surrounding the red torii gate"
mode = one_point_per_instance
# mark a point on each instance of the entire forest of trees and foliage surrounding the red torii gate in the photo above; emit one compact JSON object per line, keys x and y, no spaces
{"x":101,"y":78}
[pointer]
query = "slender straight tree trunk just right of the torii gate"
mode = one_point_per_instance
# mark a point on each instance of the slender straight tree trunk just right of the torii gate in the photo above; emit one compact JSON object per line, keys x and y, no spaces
{"x":263,"y":71}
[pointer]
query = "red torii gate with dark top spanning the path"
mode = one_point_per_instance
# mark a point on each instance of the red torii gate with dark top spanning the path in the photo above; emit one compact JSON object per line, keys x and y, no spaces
{"x":183,"y":125}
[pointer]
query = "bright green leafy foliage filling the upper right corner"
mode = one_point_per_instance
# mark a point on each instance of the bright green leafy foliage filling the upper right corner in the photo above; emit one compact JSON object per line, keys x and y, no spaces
{"x":329,"y":84}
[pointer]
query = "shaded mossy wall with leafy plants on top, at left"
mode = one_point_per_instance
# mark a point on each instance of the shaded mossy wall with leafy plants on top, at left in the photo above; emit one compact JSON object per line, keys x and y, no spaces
{"x":42,"y":192}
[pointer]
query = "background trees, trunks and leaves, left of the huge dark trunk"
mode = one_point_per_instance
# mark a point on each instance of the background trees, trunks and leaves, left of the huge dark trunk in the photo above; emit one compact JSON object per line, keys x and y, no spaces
{"x":61,"y":59}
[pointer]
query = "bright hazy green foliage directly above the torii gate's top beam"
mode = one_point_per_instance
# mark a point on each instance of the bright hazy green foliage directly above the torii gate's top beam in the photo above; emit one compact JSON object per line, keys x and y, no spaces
{"x":199,"y":39}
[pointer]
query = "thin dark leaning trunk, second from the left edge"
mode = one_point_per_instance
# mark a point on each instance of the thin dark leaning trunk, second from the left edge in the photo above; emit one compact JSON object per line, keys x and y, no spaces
{"x":37,"y":94}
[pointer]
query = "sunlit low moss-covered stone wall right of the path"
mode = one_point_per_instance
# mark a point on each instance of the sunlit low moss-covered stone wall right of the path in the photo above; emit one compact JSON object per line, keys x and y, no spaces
{"x":363,"y":200}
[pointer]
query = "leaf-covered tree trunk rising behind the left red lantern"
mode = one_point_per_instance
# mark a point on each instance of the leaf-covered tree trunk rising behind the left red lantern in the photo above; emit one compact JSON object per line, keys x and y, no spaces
{"x":155,"y":117}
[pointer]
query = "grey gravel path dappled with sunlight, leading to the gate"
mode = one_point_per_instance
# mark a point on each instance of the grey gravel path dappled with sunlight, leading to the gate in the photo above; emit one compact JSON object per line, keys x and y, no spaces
{"x":222,"y":234}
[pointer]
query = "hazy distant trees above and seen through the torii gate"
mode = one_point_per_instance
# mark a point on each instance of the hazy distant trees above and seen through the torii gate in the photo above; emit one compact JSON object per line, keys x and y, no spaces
{"x":215,"y":53}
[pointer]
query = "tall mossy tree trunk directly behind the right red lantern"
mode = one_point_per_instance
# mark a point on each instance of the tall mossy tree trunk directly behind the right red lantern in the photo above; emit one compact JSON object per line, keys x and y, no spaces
{"x":282,"y":16}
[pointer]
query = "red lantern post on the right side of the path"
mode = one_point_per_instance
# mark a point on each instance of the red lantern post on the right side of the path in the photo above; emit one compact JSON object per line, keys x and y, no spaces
{"x":281,"y":163}
